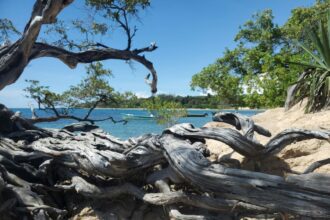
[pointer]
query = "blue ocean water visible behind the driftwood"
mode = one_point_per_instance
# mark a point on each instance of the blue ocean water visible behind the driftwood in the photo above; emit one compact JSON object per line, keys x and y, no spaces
{"x":134,"y":127}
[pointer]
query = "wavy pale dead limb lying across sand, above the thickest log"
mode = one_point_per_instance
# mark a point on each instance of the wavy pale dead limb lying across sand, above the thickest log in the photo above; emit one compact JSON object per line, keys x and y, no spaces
{"x":248,"y":147}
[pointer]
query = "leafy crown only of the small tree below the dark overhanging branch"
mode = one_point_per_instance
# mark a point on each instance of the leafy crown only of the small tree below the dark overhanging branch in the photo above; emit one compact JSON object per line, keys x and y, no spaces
{"x":90,"y":92}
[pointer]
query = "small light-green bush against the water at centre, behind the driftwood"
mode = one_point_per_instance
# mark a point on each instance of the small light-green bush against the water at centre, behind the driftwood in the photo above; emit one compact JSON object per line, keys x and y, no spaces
{"x":166,"y":112}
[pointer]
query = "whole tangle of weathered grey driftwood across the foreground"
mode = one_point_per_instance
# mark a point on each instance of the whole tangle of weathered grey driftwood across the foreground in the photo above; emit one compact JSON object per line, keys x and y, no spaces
{"x":47,"y":174}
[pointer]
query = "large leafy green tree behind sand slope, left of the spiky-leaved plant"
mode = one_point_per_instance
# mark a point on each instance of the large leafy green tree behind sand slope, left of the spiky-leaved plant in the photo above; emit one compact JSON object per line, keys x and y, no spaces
{"x":234,"y":77}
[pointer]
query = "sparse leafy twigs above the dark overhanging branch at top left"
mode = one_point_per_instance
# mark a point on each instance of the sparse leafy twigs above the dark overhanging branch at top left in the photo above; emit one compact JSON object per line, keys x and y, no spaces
{"x":104,"y":18}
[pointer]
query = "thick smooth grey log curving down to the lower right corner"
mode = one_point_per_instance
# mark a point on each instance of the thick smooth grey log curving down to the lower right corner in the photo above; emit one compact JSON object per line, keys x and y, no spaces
{"x":271,"y":192}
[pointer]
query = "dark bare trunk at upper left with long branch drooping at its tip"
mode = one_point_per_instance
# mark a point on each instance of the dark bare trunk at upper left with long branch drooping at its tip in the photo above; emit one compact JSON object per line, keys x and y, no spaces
{"x":15,"y":57}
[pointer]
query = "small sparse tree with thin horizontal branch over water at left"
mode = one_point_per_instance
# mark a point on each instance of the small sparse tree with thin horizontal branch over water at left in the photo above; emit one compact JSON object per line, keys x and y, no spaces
{"x":90,"y":93}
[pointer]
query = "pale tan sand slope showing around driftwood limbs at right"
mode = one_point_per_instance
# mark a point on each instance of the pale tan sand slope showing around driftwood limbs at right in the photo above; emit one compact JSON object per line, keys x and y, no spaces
{"x":295,"y":157}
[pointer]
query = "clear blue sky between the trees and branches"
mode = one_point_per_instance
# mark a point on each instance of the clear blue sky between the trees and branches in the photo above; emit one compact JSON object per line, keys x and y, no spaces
{"x":190,"y":34}
